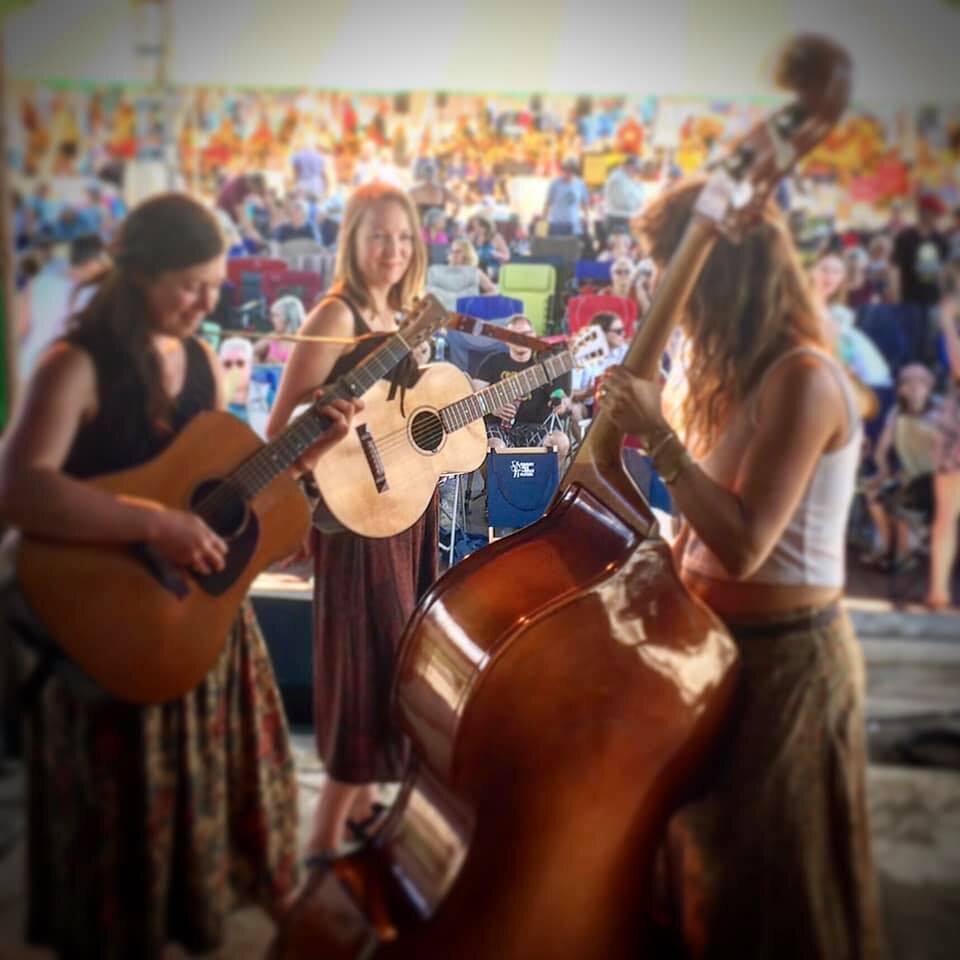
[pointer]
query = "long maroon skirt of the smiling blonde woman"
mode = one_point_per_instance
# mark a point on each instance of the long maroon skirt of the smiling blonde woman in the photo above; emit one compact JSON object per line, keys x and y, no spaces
{"x":364,"y":592}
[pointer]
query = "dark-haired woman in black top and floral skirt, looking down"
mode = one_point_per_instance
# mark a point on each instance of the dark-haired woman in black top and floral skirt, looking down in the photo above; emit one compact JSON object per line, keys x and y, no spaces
{"x":146,"y":824}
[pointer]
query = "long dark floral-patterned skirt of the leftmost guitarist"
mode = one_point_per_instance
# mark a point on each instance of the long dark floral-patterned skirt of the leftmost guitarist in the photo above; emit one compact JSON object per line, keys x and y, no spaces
{"x":150,"y":824}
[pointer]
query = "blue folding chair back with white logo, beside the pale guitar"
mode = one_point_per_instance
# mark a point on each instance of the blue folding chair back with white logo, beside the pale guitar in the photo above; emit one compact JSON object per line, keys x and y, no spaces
{"x":521,"y":482}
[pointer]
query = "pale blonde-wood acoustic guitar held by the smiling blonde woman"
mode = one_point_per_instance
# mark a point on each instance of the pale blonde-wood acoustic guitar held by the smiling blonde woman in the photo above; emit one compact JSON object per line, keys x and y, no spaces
{"x":379,"y":479}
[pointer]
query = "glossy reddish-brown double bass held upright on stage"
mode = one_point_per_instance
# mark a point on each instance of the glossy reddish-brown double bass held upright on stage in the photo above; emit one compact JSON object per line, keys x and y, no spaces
{"x":562,"y":691}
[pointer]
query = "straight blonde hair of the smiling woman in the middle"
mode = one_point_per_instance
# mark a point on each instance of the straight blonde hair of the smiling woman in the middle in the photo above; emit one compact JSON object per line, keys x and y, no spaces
{"x":347,"y":275}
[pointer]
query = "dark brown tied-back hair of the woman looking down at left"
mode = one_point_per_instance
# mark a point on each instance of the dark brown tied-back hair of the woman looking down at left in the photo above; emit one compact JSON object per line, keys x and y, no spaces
{"x":168,"y":232}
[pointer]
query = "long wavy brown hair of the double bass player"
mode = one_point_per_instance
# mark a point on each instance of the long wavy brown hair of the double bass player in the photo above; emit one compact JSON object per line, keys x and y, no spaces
{"x":751,"y":303}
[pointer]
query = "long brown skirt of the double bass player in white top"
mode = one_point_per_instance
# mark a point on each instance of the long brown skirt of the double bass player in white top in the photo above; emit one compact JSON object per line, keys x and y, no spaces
{"x":775,"y":860}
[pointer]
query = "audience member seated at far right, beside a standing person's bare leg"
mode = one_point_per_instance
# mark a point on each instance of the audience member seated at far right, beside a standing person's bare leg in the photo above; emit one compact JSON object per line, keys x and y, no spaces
{"x":910,"y":431}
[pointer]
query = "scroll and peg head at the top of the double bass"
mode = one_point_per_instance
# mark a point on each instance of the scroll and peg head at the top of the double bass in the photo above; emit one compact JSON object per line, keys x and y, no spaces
{"x":818,"y":71}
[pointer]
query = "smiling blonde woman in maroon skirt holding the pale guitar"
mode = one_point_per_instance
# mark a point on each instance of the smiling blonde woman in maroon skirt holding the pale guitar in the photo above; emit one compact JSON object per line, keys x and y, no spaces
{"x":364,"y":589}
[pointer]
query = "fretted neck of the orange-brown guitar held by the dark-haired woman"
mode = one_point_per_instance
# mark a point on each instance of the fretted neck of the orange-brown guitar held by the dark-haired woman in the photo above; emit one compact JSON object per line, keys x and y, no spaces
{"x":259,"y":470}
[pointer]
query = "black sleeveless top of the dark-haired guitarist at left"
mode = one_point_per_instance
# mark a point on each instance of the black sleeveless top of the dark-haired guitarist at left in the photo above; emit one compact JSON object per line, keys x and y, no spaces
{"x":121,"y":435}
